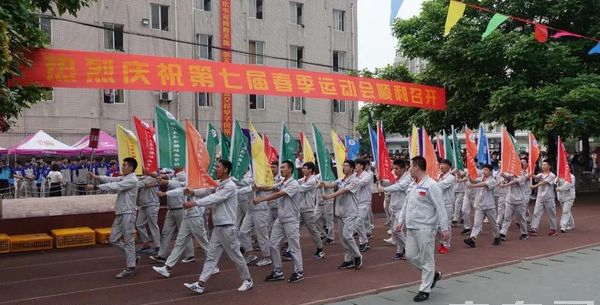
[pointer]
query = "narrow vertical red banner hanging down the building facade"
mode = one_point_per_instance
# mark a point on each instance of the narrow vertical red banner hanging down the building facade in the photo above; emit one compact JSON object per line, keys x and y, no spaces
{"x":226,"y":98}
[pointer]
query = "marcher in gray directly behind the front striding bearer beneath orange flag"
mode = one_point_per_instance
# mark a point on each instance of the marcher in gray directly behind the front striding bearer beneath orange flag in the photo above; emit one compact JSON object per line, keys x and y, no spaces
{"x":287,"y":224}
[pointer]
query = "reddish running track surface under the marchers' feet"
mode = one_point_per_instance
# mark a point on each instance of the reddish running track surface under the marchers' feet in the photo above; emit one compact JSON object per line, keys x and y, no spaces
{"x":86,"y":275}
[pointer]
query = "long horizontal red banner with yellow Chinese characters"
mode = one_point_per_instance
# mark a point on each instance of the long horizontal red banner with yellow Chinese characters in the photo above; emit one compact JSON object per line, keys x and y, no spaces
{"x":81,"y":69}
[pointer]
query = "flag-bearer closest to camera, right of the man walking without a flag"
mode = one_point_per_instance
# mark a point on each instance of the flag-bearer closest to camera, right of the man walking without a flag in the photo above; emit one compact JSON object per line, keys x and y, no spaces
{"x":484,"y":206}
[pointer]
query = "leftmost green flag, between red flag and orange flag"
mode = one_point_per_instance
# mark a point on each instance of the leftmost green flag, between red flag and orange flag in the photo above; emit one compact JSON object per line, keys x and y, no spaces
{"x":170,"y":139}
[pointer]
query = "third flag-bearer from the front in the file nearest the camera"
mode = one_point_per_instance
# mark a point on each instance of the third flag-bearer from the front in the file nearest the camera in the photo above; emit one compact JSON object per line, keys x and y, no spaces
{"x":347,"y":210}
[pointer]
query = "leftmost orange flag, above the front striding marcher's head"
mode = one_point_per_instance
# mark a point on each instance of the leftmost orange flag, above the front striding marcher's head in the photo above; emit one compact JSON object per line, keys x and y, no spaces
{"x":197,"y":159}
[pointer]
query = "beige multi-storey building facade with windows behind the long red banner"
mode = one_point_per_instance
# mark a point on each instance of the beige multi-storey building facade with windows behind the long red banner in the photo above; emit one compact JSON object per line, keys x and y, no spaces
{"x":279,"y":33}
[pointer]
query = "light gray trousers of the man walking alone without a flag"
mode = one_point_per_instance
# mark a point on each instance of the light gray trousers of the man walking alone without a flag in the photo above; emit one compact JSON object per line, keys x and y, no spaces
{"x":420,"y":245}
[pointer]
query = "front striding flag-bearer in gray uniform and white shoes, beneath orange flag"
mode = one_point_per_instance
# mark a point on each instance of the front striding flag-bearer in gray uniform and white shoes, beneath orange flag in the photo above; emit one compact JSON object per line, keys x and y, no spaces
{"x":224,"y":235}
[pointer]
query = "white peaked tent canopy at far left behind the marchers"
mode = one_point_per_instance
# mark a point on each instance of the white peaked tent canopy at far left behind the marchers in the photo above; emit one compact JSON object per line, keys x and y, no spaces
{"x":42,"y":143}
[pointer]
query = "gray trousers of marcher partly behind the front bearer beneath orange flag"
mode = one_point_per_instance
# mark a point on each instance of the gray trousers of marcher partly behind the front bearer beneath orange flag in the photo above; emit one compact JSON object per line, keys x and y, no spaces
{"x":191,"y":226}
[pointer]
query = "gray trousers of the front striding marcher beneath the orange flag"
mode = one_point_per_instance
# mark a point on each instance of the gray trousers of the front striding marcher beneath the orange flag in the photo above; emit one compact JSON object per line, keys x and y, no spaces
{"x":224,"y":238}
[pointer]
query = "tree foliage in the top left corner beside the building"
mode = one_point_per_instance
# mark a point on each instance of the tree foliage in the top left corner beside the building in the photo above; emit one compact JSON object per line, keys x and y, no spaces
{"x":19,"y":33}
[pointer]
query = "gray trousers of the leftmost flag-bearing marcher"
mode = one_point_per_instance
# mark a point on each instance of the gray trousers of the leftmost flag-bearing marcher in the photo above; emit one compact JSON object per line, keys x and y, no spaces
{"x":124,"y":226}
